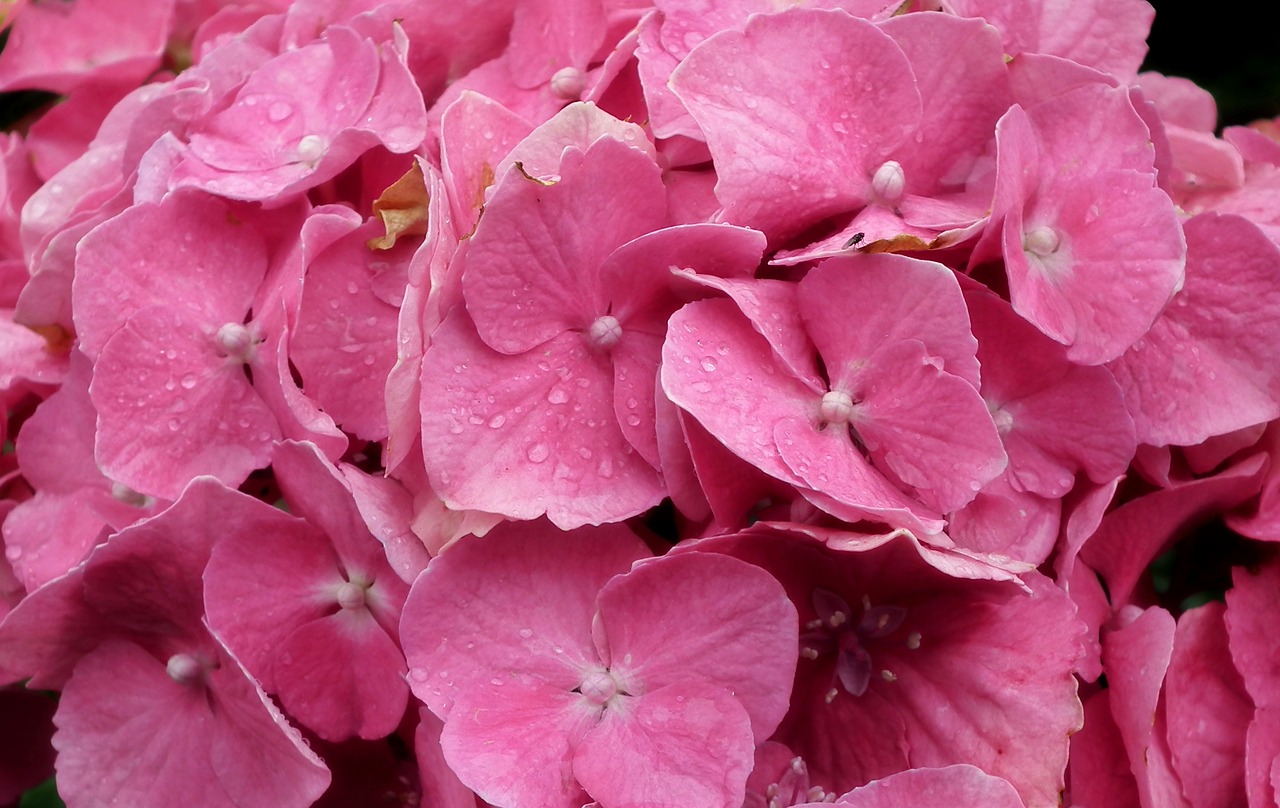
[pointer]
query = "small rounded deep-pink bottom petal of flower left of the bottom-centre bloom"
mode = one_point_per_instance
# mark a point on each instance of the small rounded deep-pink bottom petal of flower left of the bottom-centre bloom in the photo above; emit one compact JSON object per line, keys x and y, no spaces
{"x":342,"y":677}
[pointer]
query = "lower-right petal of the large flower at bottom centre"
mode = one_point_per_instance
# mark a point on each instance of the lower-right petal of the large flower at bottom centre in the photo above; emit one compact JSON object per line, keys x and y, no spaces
{"x":687,"y":745}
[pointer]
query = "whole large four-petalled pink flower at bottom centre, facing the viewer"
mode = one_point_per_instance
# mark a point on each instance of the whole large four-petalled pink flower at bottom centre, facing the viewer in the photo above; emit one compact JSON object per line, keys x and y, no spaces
{"x":565,"y":667}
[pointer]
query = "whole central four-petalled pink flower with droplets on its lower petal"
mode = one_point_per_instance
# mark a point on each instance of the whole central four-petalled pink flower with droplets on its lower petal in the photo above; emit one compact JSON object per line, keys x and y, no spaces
{"x":540,"y":396}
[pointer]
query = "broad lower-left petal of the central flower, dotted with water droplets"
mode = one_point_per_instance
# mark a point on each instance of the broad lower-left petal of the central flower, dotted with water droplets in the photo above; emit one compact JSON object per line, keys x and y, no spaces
{"x":529,"y":435}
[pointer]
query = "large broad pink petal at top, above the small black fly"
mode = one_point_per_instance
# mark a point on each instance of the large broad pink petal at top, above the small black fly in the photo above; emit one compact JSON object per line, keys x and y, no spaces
{"x":783,"y":86}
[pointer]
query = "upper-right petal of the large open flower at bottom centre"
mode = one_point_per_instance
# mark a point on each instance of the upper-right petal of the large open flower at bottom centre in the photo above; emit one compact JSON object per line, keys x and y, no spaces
{"x":708,"y":619}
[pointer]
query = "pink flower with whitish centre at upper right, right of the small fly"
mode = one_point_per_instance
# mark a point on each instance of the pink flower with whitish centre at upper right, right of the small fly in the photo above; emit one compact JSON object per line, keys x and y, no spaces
{"x":1085,"y":234}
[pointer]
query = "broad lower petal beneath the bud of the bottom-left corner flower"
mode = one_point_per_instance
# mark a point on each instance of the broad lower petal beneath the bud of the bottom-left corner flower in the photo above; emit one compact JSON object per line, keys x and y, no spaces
{"x":130,"y":734}
